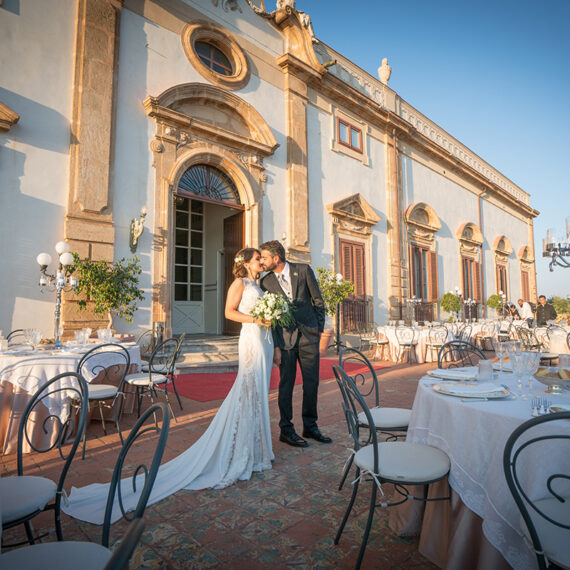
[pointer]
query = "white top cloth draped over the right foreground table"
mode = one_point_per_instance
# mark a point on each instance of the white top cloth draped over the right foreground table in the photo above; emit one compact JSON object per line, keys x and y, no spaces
{"x":474,"y":434}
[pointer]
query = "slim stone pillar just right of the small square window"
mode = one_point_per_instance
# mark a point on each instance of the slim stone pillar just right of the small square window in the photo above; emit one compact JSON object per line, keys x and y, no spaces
{"x":397,"y":278}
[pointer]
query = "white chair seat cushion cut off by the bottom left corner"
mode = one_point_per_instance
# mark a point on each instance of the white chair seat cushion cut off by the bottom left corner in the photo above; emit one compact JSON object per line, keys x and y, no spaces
{"x":61,"y":555}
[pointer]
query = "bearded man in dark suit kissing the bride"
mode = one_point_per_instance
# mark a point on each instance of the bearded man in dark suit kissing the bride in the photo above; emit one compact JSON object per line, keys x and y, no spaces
{"x":298,"y":343}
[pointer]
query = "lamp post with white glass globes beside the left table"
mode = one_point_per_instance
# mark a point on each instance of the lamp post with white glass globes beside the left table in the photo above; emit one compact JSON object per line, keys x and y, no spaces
{"x":63,"y":280}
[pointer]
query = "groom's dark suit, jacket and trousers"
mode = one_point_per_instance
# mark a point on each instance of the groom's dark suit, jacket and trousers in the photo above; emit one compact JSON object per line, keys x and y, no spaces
{"x":300,"y":342}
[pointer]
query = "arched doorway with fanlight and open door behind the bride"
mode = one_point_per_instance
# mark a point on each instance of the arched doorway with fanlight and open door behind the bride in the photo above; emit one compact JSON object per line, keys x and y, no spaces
{"x":208,"y":229}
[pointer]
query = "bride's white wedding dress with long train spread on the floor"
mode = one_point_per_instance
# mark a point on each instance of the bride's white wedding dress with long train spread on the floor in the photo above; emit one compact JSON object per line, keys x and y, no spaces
{"x":236,"y":443}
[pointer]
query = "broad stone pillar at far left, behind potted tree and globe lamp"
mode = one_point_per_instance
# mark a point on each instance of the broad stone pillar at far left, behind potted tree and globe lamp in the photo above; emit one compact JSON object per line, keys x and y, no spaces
{"x":89,"y":221}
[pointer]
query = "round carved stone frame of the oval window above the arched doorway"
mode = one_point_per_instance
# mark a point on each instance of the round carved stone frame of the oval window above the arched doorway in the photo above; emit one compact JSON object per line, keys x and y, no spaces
{"x":220,"y":38}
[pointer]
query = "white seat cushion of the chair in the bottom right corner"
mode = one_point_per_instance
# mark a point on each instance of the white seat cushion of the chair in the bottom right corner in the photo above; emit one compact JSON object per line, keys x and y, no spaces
{"x":554,"y":539}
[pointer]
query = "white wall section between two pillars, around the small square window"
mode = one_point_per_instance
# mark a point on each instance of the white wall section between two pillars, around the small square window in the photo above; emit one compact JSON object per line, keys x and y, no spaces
{"x":334,"y":176}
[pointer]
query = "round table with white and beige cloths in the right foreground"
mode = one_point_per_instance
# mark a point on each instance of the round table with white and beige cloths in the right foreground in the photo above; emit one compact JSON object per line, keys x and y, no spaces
{"x":479,"y":527}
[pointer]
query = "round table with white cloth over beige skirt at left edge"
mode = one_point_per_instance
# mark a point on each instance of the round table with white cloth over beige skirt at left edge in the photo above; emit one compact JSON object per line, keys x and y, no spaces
{"x":22,"y":374}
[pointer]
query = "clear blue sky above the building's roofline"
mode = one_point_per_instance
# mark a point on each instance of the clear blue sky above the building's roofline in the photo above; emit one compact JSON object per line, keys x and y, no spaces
{"x":495,"y":74}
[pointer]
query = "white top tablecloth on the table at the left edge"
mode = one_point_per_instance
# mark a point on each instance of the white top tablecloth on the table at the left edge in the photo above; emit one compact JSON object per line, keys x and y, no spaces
{"x":31,"y":370}
